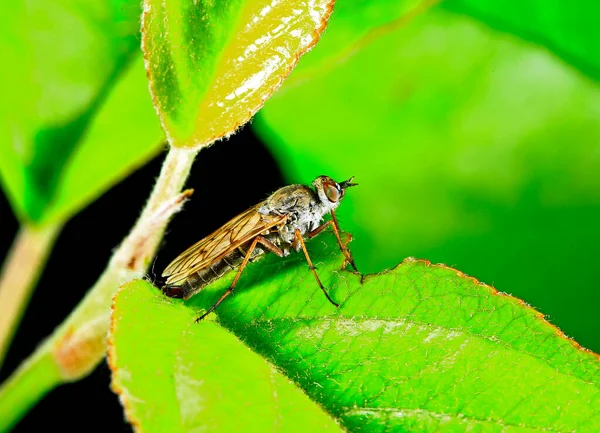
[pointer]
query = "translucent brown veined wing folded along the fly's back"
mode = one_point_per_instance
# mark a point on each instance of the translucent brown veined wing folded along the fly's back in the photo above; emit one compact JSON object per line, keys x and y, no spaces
{"x":221,"y":242}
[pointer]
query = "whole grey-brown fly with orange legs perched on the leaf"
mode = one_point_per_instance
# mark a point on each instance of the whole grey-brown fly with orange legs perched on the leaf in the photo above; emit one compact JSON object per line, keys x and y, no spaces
{"x":276,"y":225}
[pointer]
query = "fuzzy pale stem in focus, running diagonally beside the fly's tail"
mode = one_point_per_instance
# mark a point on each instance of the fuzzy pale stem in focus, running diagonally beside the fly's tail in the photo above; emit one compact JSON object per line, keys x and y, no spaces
{"x":79,"y":343}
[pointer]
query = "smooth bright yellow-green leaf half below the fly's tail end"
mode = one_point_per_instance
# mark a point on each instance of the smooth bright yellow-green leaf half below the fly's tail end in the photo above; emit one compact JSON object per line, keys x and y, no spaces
{"x":171,"y":380}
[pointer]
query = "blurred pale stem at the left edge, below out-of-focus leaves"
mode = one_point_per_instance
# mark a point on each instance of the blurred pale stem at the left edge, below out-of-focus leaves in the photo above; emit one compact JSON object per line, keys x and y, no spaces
{"x":19,"y":275}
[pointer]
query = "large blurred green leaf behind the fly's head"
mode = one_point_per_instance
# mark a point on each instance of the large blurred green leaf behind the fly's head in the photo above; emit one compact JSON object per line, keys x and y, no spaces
{"x":470,"y":147}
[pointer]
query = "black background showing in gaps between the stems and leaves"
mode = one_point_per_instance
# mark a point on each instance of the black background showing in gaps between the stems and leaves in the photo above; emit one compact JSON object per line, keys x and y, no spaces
{"x":227,"y":178}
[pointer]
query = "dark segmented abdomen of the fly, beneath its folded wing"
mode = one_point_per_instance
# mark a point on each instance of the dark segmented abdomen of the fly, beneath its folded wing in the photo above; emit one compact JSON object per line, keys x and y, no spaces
{"x":196,"y":281}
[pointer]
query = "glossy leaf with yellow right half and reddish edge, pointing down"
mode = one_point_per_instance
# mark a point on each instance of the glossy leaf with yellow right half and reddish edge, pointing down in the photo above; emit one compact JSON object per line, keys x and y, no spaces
{"x":212,"y":64}
